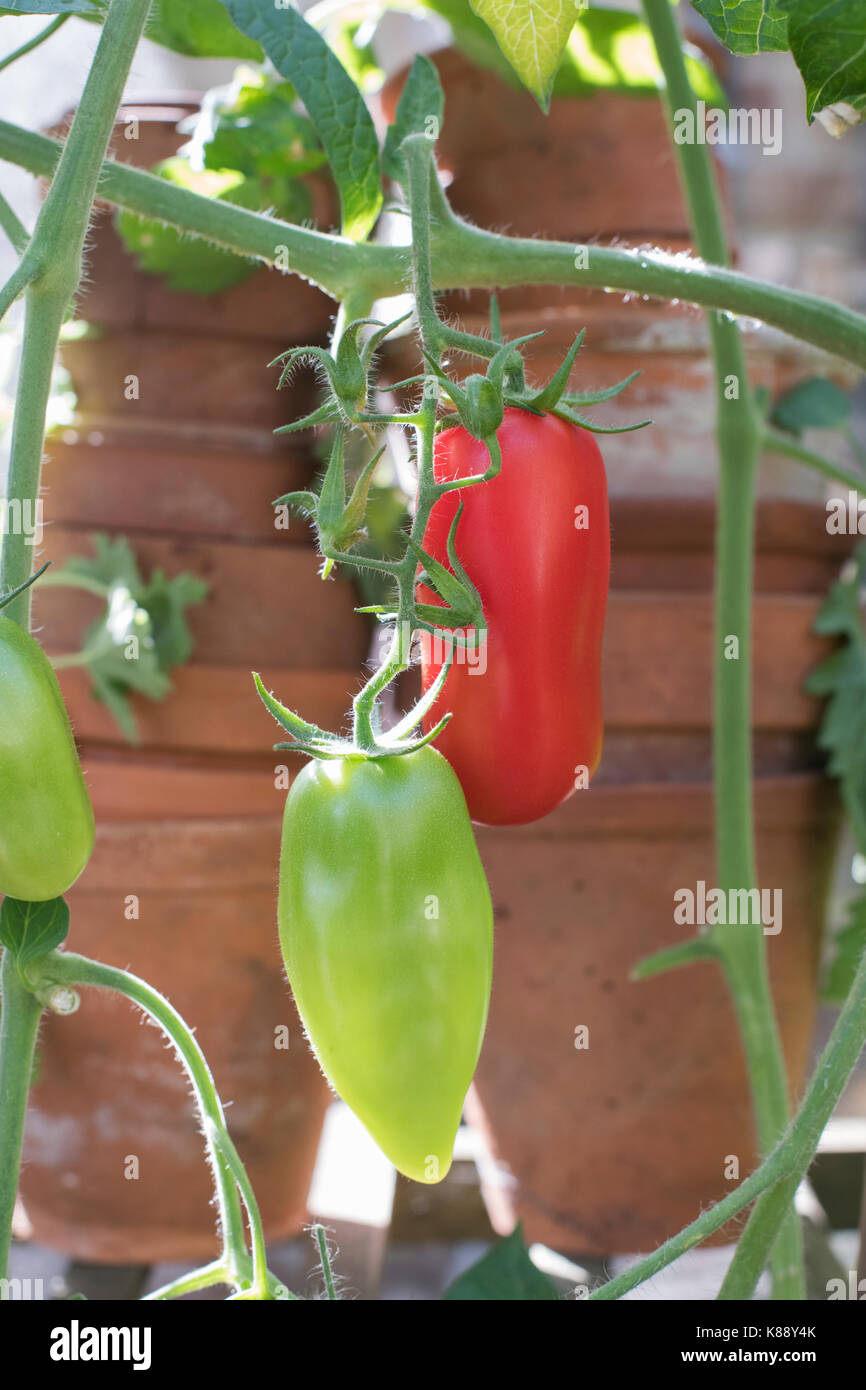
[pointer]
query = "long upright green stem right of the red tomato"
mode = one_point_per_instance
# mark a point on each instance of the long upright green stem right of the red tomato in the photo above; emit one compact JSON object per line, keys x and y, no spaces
{"x":742,"y":949}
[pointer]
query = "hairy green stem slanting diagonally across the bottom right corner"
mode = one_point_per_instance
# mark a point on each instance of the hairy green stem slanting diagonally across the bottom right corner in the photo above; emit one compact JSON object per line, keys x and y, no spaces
{"x":785,"y":1168}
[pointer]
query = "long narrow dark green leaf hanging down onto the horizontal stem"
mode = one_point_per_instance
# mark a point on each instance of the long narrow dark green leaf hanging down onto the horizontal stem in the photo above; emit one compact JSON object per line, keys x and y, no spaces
{"x":333,"y":101}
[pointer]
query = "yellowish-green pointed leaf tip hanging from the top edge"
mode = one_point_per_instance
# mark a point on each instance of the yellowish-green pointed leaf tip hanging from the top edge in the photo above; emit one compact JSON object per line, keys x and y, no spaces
{"x":533,"y":35}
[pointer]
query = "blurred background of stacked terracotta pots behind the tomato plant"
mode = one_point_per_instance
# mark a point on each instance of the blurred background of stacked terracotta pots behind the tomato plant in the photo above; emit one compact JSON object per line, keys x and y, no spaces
{"x":159,"y":479}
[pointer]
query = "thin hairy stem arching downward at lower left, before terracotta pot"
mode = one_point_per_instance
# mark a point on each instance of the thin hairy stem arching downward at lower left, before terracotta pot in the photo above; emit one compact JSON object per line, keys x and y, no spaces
{"x":66,"y":968}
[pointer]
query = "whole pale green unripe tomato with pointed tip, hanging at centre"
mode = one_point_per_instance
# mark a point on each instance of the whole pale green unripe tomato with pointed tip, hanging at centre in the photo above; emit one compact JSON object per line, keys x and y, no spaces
{"x":387,"y":931}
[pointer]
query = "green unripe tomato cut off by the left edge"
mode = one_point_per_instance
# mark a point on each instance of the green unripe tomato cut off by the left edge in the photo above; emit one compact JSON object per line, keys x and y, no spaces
{"x":47,"y":819}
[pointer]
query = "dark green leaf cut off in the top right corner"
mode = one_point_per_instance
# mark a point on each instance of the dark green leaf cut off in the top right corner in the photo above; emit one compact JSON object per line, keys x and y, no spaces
{"x":829,"y":47}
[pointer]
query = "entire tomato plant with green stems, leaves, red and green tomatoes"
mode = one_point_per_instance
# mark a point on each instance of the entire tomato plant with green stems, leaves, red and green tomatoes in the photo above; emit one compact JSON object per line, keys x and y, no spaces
{"x":386,"y":917}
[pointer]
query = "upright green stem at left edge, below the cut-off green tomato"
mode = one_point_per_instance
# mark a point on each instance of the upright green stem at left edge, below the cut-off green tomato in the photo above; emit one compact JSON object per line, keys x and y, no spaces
{"x":20,"y":1014}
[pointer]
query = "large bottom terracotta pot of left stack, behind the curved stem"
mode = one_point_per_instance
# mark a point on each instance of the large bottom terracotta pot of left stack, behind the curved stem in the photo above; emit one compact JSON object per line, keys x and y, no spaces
{"x":113,"y":1161}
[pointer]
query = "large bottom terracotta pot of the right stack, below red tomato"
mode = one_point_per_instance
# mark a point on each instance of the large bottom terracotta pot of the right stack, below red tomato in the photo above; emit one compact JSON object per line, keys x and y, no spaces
{"x":610,"y":1149}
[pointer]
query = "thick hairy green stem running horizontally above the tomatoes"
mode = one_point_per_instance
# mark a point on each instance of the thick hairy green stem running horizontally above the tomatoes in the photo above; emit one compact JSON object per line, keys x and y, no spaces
{"x":464,"y":256}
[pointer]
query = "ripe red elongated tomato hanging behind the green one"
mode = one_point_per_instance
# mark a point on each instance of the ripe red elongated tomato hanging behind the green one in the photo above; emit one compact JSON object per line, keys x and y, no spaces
{"x":536,"y":543}
